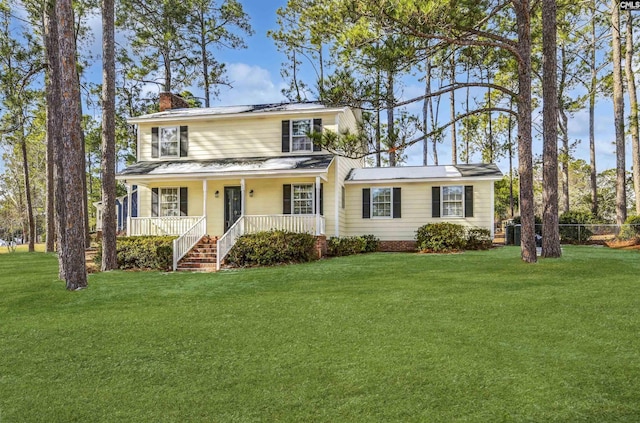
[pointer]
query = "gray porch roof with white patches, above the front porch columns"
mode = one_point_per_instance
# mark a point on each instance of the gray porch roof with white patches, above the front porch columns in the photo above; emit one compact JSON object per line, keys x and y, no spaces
{"x":227,"y":167}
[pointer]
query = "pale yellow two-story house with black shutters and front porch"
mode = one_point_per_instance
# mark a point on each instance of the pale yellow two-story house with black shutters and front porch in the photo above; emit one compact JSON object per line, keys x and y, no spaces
{"x":227,"y":171}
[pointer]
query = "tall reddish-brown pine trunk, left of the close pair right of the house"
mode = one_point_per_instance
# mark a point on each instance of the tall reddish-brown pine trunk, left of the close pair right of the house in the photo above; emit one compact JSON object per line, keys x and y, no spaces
{"x":525,"y":157}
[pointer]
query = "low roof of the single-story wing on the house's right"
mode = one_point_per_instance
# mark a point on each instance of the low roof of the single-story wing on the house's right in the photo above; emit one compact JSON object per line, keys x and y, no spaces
{"x":425,"y":173}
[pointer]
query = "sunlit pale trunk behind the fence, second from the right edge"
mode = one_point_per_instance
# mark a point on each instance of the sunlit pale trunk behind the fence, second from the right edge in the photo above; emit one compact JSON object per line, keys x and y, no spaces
{"x":618,"y":114}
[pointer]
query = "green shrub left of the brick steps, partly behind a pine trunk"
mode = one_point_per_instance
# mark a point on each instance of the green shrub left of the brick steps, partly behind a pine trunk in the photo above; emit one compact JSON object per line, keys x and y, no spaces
{"x":142,"y":252}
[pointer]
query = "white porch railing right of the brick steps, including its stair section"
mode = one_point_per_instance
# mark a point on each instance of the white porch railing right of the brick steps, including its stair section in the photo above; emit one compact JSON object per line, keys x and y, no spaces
{"x":312,"y":224}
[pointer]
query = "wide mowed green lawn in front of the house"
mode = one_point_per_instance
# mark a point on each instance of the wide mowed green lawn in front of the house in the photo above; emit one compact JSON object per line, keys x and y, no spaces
{"x":471,"y":337}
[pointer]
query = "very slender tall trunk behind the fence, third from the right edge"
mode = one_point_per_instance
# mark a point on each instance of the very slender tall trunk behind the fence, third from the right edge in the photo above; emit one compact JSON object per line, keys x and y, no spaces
{"x":592,"y":111}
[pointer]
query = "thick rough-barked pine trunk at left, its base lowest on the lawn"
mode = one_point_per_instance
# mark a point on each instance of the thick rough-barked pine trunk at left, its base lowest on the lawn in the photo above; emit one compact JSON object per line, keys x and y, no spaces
{"x":71,"y":156}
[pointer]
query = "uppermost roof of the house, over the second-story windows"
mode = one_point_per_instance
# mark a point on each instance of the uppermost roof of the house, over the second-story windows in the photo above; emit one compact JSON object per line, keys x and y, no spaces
{"x":199,"y":112}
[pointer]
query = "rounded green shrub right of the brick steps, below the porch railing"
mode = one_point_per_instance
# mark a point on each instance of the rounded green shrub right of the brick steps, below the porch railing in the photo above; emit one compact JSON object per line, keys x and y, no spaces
{"x":272,"y":247}
